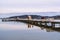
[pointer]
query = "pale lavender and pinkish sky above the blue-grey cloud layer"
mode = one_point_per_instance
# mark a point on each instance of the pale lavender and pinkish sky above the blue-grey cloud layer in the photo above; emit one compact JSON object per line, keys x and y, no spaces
{"x":10,"y":6}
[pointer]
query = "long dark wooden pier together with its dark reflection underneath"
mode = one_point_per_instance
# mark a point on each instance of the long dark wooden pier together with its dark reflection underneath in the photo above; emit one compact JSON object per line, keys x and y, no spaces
{"x":50,"y":24}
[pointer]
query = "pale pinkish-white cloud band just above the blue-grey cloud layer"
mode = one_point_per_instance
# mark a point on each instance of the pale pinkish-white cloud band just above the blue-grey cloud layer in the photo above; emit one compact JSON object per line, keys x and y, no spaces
{"x":15,"y":10}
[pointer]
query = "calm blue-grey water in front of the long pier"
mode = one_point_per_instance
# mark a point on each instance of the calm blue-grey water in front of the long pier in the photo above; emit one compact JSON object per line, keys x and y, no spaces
{"x":22,"y":31}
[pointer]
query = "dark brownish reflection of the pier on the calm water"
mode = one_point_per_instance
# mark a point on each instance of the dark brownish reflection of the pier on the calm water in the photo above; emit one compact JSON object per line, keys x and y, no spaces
{"x":42,"y":27}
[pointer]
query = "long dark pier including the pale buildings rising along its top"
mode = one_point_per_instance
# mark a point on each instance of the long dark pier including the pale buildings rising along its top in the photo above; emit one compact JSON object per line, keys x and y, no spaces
{"x":48,"y":23}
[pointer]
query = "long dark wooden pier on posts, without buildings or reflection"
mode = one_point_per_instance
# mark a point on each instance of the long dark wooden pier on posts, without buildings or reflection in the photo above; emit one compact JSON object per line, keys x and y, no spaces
{"x":39,"y":22}
